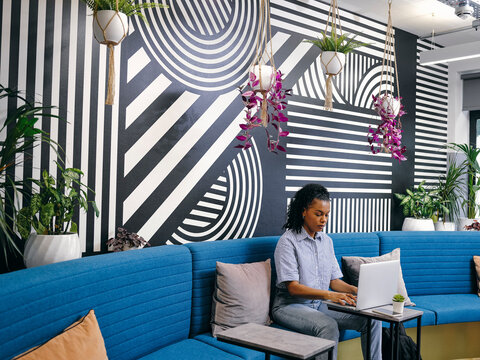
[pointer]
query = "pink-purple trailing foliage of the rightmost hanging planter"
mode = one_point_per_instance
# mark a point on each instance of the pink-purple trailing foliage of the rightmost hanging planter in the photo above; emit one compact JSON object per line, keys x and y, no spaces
{"x":388,"y":135}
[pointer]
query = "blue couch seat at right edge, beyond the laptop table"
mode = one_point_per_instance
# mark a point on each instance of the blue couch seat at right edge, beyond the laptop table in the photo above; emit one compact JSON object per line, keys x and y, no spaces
{"x":452,"y":308}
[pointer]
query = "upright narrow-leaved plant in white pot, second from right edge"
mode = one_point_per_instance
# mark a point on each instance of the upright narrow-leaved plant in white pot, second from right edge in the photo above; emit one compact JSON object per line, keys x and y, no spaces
{"x":447,"y":208}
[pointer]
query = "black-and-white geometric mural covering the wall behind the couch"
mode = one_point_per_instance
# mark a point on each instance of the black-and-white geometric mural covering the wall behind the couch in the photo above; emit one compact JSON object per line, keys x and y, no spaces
{"x":161,"y":159}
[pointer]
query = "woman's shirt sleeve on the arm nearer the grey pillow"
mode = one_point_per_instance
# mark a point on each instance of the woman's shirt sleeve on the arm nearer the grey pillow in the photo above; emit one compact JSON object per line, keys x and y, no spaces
{"x":286,"y":262}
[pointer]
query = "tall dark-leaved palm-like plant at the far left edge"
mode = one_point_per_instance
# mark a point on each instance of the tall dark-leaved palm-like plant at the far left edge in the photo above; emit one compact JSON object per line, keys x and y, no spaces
{"x":22,"y":136}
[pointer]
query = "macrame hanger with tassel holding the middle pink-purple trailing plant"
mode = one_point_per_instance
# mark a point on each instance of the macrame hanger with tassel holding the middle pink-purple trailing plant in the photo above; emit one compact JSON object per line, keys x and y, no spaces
{"x":264,"y":36}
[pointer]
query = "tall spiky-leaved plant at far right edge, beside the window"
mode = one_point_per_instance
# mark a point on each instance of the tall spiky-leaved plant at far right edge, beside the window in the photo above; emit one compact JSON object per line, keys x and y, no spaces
{"x":471,"y":170}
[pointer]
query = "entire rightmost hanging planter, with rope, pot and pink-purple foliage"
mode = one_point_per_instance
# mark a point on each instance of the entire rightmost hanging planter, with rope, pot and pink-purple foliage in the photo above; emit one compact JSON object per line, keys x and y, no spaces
{"x":388,"y":135}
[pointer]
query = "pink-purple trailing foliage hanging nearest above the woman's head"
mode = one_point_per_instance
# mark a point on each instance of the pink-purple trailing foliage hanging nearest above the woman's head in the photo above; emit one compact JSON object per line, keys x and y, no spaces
{"x":271,"y":103}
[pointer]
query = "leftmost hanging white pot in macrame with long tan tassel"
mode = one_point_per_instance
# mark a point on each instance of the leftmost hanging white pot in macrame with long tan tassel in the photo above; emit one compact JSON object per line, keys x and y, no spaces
{"x":115,"y":18}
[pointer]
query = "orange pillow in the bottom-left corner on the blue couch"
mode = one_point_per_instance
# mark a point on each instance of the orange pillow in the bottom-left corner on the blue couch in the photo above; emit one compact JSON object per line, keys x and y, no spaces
{"x":81,"y":340}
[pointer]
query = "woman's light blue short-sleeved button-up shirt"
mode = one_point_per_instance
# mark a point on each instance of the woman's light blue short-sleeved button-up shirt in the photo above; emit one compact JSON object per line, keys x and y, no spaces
{"x":311,"y":262}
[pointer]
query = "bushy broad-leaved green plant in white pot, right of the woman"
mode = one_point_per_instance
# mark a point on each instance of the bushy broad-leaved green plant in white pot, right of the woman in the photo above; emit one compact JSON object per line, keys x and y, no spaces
{"x":418,"y":206}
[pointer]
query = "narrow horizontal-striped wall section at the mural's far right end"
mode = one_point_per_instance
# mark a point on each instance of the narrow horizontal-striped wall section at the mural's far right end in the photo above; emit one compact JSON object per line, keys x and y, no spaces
{"x":431,"y":119}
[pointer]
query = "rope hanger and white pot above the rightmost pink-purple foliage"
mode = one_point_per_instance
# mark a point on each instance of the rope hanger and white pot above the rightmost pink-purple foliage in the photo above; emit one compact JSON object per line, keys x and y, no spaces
{"x":389,"y":62}
